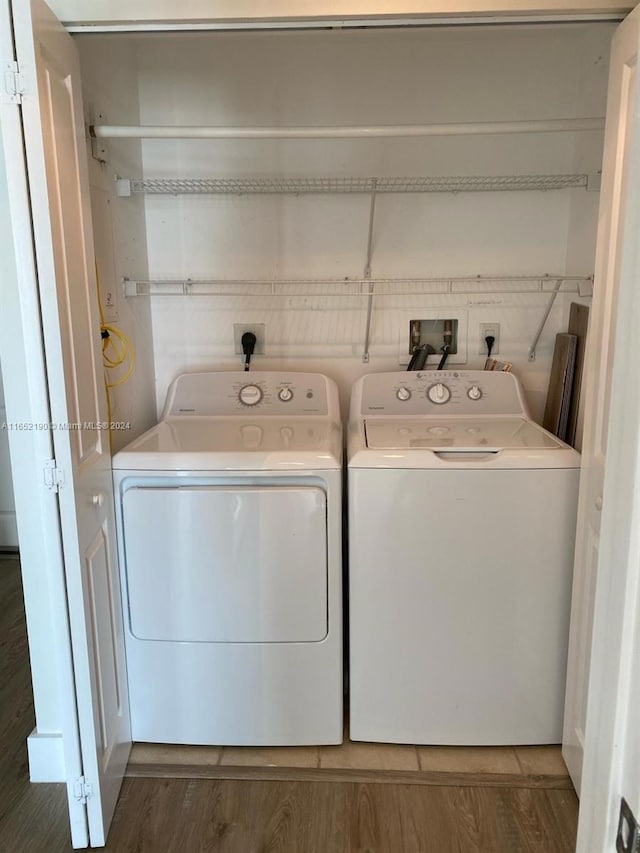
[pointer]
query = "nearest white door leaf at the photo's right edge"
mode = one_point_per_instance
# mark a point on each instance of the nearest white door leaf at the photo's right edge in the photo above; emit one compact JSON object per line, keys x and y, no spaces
{"x":611,"y":768}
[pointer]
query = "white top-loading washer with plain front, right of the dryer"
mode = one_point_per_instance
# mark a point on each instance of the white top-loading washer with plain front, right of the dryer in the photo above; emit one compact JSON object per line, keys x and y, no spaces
{"x":462,"y":515}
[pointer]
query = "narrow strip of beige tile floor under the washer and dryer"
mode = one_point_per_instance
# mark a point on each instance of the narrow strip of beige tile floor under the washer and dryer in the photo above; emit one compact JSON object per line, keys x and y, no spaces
{"x":527,"y":761}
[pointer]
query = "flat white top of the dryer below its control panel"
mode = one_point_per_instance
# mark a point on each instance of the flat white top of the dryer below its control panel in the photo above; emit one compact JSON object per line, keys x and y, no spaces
{"x":207,"y":444}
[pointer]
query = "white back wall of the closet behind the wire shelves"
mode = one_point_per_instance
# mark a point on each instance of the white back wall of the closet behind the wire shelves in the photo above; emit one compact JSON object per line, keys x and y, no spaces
{"x":346,"y":77}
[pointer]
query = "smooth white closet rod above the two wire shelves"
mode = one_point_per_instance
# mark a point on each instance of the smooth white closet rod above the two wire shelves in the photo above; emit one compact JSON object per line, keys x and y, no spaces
{"x":111,"y":131}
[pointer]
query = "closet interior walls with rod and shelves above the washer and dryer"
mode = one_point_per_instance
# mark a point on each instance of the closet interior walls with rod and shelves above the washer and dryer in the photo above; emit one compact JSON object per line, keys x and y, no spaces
{"x":329,"y":247}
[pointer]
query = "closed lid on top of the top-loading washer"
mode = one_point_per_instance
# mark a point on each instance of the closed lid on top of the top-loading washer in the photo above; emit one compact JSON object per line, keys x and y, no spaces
{"x":471,"y":435}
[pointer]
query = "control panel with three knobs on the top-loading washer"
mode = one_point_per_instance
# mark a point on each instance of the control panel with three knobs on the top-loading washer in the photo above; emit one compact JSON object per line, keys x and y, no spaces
{"x":441,"y":392}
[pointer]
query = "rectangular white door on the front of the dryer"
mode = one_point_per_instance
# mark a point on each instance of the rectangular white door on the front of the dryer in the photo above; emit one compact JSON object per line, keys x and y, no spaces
{"x":226,"y":564}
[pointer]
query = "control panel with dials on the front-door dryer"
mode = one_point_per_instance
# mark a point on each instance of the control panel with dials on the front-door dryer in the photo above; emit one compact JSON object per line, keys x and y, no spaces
{"x":235,"y":392}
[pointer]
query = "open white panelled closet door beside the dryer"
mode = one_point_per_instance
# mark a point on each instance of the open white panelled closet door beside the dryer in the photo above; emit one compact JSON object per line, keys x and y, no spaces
{"x":59,"y":191}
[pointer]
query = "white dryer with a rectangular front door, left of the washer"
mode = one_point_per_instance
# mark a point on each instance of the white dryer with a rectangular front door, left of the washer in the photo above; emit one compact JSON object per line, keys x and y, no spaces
{"x":229,"y":523}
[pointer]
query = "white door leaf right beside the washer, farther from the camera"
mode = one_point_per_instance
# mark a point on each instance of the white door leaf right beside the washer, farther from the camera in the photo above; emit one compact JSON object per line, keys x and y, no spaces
{"x":617,"y":207}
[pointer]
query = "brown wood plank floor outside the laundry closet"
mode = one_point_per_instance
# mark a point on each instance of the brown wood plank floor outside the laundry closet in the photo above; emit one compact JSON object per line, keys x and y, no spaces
{"x":189,"y":815}
